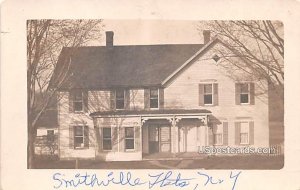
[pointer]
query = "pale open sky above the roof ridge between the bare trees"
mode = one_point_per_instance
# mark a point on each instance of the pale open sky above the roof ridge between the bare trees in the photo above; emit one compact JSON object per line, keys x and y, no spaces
{"x":144,"y":32}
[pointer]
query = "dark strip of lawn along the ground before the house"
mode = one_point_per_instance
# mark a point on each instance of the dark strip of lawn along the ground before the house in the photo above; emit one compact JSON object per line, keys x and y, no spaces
{"x":214,"y":162}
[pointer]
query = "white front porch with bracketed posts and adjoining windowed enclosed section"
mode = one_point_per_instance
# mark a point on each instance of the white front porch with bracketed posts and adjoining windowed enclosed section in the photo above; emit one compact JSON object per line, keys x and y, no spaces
{"x":159,"y":134}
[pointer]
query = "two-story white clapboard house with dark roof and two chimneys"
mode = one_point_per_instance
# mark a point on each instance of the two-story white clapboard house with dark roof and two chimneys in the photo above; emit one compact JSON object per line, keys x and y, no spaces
{"x":123,"y":102}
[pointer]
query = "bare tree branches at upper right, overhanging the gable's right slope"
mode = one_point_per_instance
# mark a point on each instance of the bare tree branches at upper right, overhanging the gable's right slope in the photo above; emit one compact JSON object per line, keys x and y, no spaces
{"x":259,"y":43}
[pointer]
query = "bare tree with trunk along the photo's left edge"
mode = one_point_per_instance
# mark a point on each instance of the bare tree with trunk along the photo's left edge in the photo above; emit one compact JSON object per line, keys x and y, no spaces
{"x":45,"y":39}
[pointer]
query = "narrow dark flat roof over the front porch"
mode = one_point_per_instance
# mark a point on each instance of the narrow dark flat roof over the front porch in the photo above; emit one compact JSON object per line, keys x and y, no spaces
{"x":151,"y":112}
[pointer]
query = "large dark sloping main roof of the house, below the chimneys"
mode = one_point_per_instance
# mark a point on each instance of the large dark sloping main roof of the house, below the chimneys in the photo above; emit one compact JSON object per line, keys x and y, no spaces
{"x":121,"y":66}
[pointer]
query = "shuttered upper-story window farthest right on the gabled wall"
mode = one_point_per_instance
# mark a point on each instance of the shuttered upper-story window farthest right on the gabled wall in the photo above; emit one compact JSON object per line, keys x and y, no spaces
{"x":244,"y":93}
